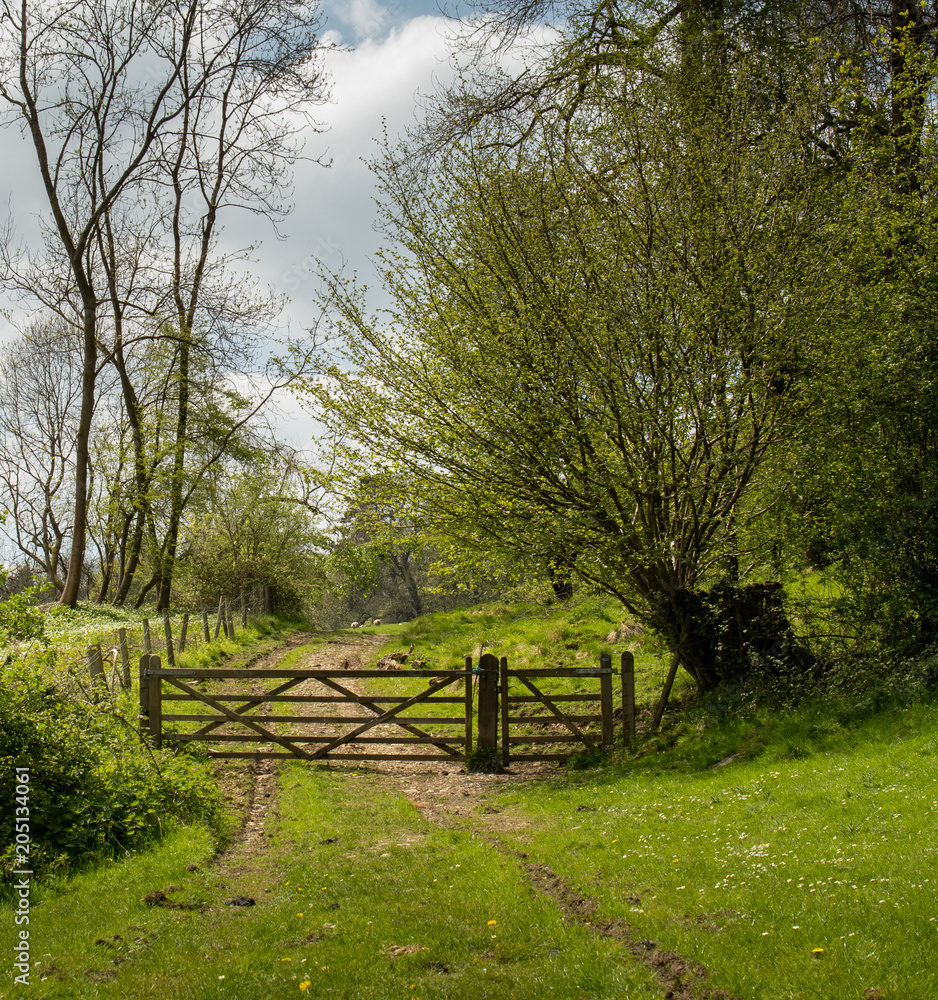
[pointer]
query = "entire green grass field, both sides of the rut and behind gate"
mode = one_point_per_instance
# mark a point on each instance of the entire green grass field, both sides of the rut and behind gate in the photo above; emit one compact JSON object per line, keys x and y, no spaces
{"x":790,"y":853}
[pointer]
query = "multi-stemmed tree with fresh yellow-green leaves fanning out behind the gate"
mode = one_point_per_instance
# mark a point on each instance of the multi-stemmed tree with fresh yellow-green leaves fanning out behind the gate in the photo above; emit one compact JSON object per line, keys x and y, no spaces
{"x":595,"y":339}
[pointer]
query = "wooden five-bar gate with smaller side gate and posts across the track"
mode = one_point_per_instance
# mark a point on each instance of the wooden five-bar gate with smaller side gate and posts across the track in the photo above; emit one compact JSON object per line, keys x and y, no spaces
{"x":181,"y":706}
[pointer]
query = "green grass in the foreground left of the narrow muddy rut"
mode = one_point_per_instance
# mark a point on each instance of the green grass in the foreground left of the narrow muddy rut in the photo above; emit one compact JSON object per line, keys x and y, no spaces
{"x":353,"y":873}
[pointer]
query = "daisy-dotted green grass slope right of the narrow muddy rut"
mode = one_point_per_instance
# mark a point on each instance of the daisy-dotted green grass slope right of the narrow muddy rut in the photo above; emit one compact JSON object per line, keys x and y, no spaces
{"x":823,"y":842}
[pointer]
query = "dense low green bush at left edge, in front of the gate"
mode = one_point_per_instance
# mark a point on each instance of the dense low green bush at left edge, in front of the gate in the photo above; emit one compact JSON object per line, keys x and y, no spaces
{"x":95,"y":787}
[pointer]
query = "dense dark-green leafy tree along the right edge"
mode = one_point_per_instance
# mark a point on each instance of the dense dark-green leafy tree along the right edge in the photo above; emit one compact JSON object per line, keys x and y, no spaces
{"x":866,"y":469}
